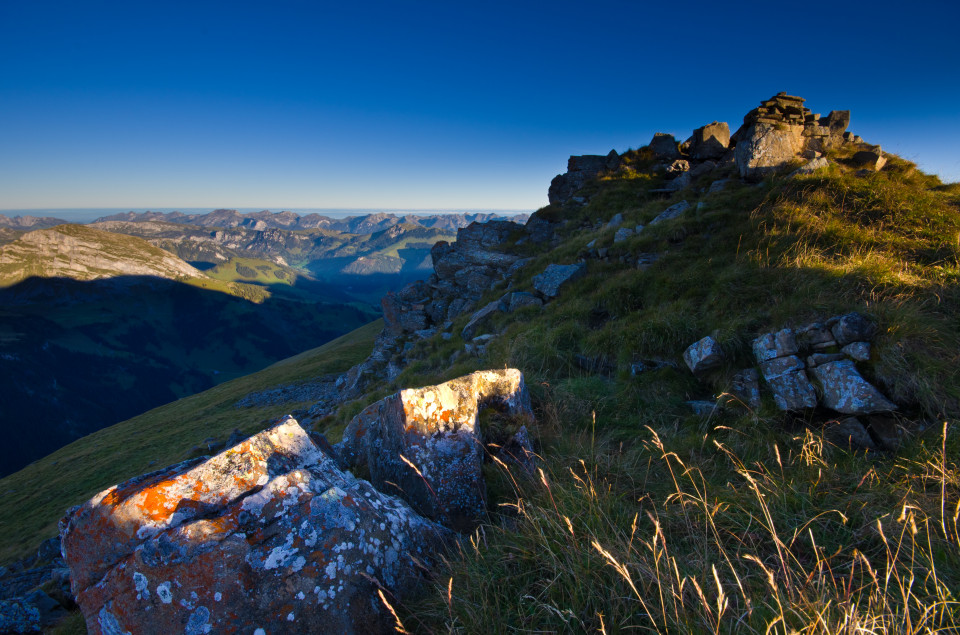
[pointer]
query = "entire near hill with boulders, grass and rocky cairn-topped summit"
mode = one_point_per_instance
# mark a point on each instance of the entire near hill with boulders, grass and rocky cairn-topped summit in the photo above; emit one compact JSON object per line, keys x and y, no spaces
{"x":734,"y":354}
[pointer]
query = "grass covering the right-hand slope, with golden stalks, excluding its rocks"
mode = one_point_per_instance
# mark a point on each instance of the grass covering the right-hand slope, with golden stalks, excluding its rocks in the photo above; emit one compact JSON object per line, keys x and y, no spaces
{"x":650,"y":517}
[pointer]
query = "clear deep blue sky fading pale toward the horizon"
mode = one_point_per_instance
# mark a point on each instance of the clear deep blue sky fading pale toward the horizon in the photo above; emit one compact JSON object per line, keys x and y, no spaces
{"x":430,"y":104}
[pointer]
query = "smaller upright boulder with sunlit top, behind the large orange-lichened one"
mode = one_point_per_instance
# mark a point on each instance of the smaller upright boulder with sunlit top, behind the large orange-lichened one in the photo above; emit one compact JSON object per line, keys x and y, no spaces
{"x":425,"y":443}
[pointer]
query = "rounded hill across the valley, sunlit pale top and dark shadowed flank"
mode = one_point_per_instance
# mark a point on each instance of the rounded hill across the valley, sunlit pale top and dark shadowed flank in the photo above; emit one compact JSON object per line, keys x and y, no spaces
{"x":96,"y":327}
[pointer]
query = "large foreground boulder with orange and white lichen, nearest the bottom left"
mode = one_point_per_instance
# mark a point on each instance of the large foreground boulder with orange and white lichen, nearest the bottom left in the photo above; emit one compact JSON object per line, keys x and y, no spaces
{"x":269,"y":534}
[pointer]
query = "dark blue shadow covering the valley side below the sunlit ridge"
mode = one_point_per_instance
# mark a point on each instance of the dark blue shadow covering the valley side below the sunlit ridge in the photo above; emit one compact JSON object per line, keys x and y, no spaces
{"x":79,"y":356}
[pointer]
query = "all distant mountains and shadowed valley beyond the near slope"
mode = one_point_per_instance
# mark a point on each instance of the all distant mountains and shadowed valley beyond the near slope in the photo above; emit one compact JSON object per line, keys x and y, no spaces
{"x":102,"y":321}
